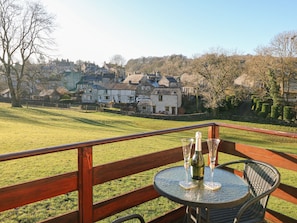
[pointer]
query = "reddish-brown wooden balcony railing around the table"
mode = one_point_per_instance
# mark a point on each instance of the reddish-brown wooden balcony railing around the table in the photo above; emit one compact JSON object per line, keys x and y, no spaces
{"x":87,"y":176}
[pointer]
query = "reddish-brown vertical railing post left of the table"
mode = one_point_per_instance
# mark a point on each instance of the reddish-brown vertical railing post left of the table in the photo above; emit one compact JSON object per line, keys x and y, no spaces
{"x":85,"y":185}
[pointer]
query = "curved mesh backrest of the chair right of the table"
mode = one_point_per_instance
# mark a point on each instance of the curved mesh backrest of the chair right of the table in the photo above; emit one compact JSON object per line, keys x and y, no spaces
{"x":262,"y":178}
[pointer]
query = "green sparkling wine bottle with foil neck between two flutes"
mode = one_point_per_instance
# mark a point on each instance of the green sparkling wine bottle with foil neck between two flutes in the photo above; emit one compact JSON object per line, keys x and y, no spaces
{"x":197,"y":162}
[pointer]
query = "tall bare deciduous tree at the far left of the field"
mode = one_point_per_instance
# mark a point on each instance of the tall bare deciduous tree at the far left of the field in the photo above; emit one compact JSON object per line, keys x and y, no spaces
{"x":25,"y":29}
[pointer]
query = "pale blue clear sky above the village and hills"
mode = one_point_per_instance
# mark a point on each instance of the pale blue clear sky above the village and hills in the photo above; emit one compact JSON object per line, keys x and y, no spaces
{"x":95,"y":30}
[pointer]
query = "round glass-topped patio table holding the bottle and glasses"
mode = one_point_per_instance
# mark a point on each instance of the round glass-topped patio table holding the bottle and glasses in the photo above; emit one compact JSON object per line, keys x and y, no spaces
{"x":234,"y":190}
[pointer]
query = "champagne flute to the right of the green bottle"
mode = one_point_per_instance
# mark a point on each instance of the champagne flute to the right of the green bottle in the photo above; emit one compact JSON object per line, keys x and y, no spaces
{"x":212,"y":145}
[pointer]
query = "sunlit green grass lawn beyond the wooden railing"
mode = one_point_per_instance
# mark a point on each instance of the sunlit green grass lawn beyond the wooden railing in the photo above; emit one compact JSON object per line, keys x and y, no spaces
{"x":32,"y":128}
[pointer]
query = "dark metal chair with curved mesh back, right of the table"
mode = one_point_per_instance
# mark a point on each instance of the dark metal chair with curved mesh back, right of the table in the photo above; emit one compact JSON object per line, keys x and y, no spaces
{"x":262,"y":179}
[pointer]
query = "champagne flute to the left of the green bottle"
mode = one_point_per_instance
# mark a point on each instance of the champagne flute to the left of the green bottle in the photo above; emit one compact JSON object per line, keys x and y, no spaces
{"x":187,"y":144}
